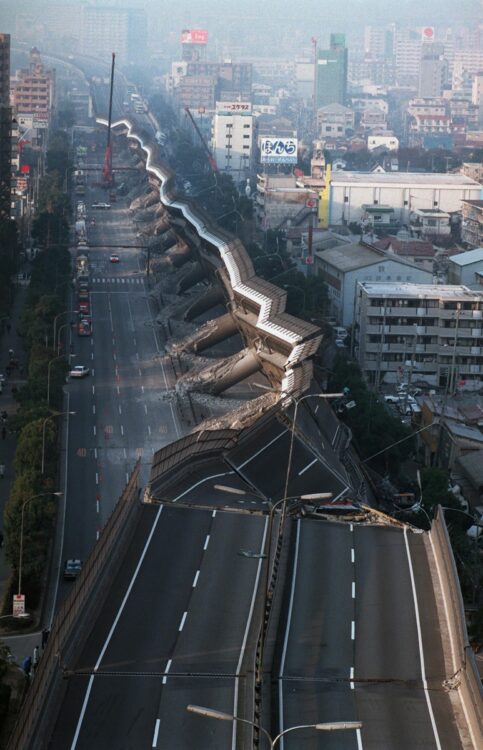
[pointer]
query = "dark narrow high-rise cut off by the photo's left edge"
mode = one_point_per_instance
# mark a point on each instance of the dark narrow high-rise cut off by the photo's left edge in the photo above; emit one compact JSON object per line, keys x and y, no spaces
{"x":5,"y":126}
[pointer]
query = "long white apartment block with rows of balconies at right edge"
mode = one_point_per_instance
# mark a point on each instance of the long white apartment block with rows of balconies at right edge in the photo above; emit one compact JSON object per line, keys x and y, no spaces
{"x":430,"y":333}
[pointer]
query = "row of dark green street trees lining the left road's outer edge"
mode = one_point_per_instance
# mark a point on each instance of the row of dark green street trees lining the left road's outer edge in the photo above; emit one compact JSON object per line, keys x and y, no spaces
{"x":35,"y":425}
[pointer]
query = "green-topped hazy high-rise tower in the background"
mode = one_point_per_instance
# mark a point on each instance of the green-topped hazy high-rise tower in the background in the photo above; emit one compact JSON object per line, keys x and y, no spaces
{"x":331,"y":74}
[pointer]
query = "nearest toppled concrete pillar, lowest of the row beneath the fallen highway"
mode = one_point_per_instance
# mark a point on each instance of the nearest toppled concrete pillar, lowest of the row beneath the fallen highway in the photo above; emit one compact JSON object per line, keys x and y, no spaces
{"x":222,"y":374}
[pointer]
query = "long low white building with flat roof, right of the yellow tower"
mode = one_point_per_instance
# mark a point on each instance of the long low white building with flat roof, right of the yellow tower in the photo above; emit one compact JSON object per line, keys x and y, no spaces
{"x":351,"y":195}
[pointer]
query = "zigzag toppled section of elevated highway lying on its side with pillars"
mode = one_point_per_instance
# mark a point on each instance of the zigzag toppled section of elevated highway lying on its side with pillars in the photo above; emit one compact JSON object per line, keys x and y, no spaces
{"x":188,"y":240}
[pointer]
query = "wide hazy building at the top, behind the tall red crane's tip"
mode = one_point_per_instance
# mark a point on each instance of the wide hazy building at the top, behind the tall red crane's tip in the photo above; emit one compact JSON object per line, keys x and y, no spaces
{"x":107,"y":29}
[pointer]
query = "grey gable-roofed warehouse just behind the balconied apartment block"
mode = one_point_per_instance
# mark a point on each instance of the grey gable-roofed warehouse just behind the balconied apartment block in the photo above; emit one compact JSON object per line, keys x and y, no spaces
{"x":343,"y":267}
